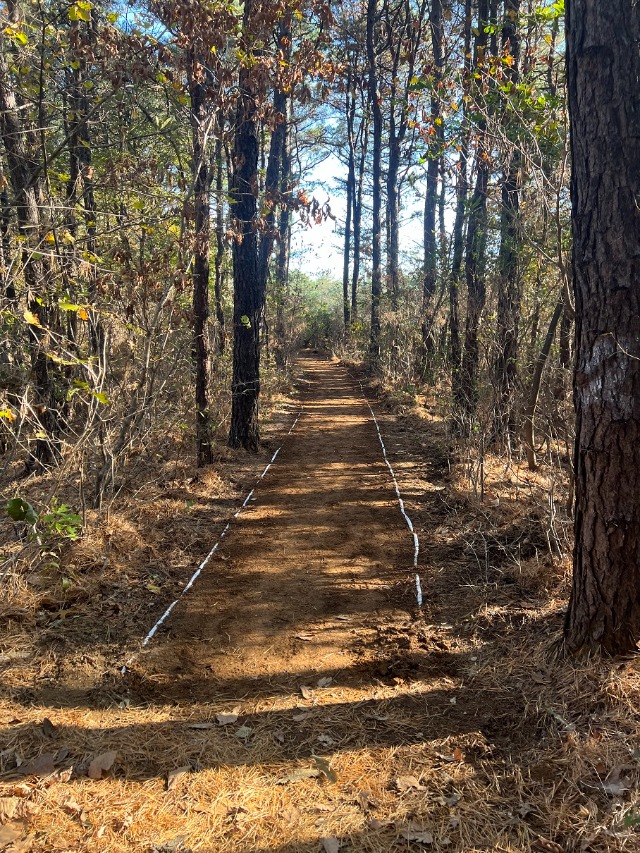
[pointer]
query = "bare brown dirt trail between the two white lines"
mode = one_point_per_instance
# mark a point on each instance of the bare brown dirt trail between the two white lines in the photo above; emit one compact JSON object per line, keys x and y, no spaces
{"x":312,"y":558}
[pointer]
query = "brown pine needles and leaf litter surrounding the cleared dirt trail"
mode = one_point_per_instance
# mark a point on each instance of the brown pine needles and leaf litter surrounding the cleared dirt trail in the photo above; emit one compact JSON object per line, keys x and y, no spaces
{"x":462,"y":727}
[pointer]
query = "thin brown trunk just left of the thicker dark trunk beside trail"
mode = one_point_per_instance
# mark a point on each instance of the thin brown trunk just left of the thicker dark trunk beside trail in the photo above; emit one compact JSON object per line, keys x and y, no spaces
{"x":200,"y":129}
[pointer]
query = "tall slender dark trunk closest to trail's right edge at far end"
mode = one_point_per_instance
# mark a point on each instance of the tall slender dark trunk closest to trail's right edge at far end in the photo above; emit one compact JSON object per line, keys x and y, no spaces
{"x":376,"y":270}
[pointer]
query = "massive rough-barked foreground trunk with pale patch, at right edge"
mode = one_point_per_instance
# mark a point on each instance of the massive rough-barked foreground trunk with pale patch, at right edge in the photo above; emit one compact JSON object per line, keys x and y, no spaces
{"x":603,"y":72}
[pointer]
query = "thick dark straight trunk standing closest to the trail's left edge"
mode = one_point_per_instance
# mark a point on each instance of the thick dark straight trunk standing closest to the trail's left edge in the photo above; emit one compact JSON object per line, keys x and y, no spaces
{"x":248,"y":293}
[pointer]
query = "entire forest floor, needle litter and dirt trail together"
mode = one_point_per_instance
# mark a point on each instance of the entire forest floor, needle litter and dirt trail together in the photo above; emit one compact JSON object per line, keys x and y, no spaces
{"x":297,"y":699}
